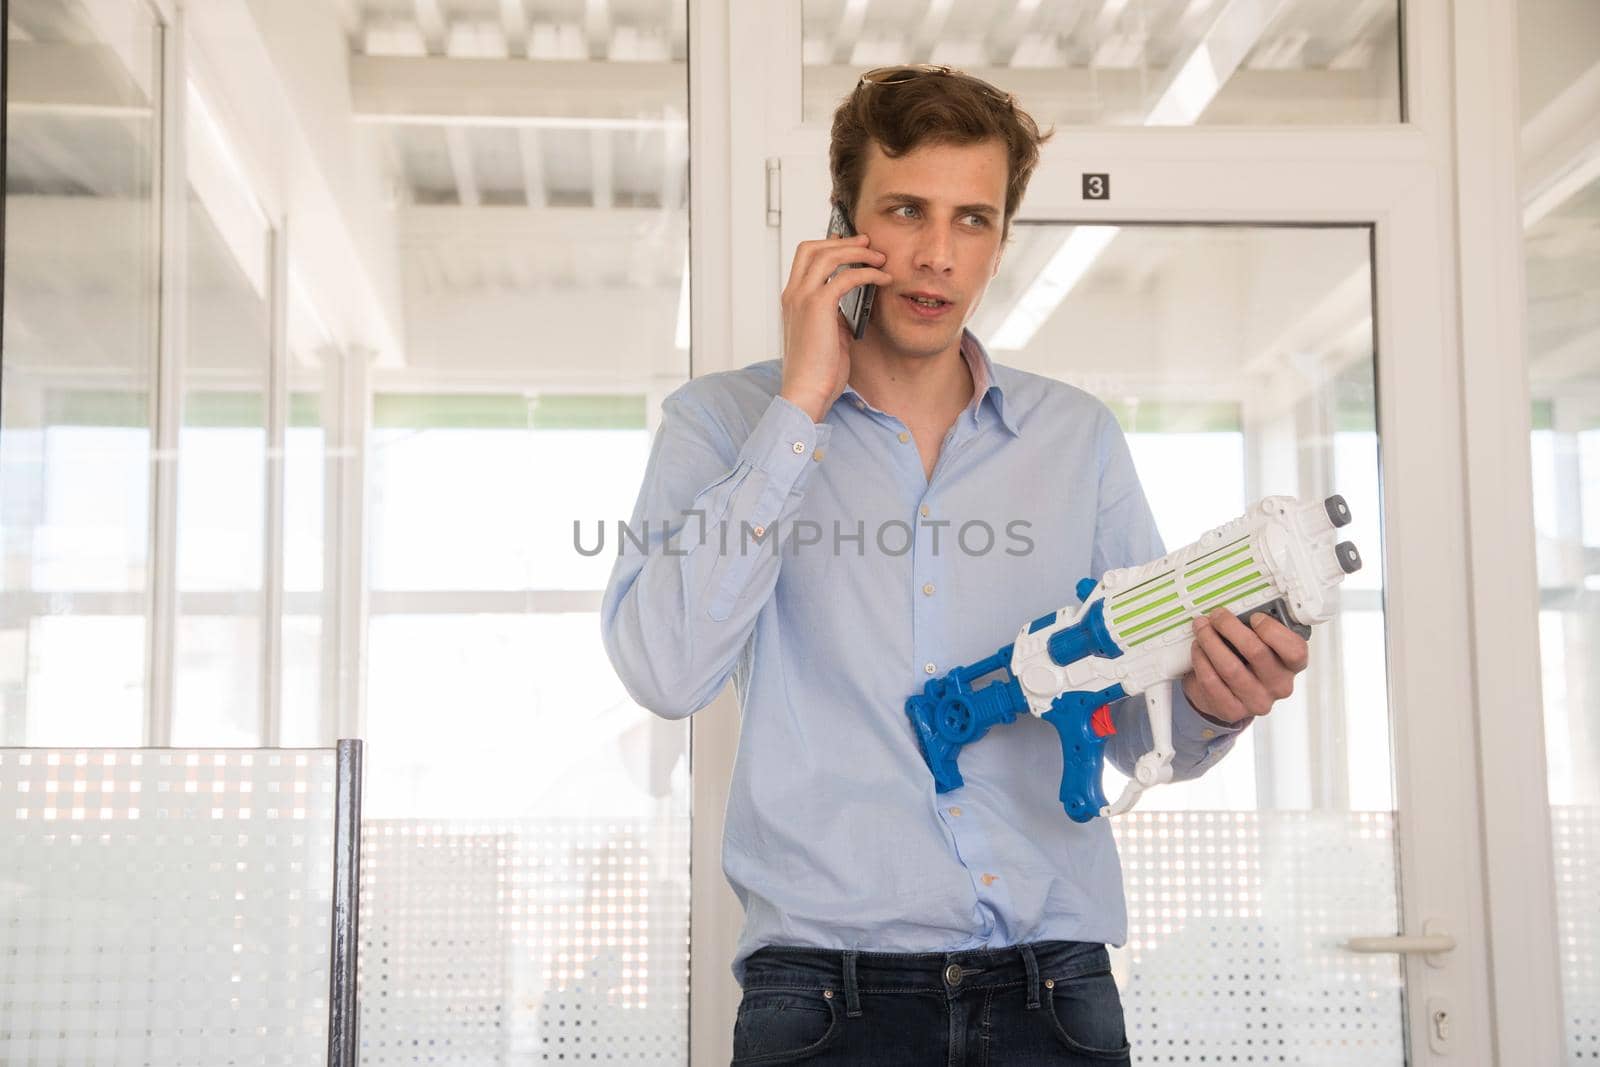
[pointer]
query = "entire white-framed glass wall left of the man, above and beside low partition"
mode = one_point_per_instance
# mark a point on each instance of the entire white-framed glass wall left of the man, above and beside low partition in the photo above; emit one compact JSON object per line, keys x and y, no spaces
{"x":519,"y":802}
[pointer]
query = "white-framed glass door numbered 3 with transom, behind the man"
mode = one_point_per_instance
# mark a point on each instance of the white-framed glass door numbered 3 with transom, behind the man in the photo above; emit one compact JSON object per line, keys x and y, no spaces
{"x":1260,"y":311}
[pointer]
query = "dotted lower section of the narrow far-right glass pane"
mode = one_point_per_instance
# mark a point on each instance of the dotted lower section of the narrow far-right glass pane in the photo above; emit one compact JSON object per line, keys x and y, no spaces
{"x":1577,"y":831}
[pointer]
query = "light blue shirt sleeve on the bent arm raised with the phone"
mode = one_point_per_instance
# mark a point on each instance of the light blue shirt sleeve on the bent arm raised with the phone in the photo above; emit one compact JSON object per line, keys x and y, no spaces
{"x":700,"y":556}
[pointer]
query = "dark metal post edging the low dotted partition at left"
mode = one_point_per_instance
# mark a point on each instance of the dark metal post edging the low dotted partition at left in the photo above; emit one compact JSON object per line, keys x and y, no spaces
{"x":343,"y":1020}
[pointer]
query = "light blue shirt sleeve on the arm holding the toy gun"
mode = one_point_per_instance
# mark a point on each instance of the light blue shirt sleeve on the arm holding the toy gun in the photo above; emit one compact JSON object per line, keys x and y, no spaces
{"x":1126,"y":535}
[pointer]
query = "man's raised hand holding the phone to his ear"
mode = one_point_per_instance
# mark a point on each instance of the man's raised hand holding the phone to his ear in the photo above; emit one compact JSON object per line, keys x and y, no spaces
{"x":817,"y":337}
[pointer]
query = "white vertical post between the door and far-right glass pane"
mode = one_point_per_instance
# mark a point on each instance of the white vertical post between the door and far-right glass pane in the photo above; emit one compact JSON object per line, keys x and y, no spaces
{"x":1497,"y":414}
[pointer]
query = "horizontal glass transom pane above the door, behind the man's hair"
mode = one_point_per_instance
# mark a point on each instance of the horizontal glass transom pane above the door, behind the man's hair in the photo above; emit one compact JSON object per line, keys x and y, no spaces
{"x":1129,"y":63}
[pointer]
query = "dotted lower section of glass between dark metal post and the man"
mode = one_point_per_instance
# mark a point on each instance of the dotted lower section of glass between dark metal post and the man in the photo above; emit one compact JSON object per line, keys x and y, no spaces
{"x":524,"y":941}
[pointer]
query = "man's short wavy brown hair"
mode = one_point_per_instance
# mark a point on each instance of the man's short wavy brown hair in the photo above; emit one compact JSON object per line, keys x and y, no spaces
{"x":930,"y":106}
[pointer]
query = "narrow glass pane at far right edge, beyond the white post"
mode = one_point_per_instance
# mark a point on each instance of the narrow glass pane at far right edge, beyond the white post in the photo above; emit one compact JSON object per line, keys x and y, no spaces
{"x":1561,"y":182}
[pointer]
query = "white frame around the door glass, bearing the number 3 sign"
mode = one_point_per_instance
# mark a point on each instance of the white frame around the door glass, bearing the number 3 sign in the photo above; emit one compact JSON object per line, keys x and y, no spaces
{"x":1462,"y":596}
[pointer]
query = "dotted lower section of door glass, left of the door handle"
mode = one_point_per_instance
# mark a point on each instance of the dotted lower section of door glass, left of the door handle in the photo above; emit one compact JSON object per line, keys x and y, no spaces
{"x":1236,"y":922}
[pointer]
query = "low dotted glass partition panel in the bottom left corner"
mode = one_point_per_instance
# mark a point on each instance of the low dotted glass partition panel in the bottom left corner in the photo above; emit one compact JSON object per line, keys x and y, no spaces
{"x":166,"y":906}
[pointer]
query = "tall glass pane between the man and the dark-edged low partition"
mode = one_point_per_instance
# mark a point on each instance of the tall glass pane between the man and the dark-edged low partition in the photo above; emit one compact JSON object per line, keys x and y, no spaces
{"x":529,"y":837}
